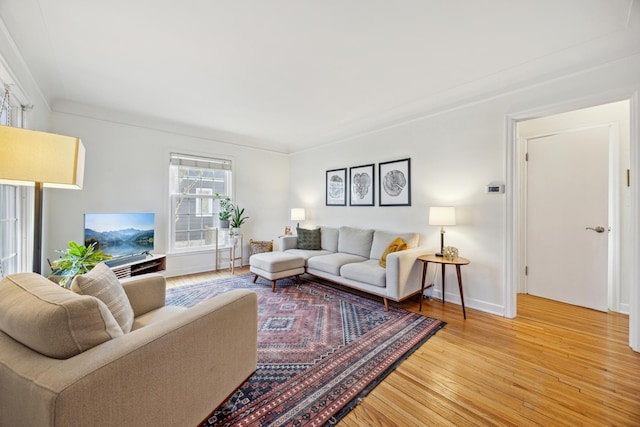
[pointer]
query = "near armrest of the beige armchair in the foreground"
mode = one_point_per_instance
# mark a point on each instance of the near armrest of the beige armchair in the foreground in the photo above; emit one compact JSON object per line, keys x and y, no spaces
{"x":170,"y":373}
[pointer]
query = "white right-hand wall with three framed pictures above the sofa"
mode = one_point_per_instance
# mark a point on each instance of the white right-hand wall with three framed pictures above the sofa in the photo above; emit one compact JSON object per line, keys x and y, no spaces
{"x":454,"y":154}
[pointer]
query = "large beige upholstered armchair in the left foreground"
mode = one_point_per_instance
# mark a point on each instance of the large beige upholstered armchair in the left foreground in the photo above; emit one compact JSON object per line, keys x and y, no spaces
{"x":64,"y":361}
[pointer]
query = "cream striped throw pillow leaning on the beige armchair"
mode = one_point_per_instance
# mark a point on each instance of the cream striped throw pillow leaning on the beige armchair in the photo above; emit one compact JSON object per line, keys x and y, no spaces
{"x":102,"y":283}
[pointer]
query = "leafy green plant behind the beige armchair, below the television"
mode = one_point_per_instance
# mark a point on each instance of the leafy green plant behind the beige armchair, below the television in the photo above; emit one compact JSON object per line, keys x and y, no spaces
{"x":76,"y":259}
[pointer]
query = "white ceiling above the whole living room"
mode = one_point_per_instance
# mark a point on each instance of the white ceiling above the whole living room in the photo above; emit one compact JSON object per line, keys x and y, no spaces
{"x":287,"y":75}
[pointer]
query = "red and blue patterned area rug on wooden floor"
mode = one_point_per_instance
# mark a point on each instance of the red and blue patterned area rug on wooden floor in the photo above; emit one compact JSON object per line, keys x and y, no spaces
{"x":320,"y":350}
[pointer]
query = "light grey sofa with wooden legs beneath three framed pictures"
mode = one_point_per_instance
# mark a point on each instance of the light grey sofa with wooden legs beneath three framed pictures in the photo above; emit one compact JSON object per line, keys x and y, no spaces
{"x":350,"y":256}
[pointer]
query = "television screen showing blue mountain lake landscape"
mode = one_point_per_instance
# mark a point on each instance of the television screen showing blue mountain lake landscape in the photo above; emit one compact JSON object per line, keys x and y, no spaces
{"x":120,"y":234}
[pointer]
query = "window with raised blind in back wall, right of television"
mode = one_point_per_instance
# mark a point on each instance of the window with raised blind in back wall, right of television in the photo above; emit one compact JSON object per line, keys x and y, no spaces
{"x":194,"y":185}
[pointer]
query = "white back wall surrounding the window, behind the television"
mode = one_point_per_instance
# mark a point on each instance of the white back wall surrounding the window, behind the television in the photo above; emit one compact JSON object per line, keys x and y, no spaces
{"x":127,"y":170}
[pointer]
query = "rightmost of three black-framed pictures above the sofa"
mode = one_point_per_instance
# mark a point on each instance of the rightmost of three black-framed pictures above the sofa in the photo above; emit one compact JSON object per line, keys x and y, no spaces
{"x":394,"y":183}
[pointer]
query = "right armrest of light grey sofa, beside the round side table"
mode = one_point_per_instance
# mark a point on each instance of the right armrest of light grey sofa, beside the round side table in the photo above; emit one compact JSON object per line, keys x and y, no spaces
{"x":404,"y":274}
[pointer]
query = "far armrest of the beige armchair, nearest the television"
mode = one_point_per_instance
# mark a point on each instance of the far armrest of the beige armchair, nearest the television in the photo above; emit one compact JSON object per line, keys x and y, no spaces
{"x":145,"y":292}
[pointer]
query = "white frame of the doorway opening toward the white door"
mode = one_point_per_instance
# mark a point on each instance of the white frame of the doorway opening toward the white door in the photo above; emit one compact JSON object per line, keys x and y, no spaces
{"x":514,"y":257}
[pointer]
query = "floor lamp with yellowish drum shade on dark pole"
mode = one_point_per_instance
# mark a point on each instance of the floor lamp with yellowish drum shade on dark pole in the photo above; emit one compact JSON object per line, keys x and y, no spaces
{"x":42,"y":159}
